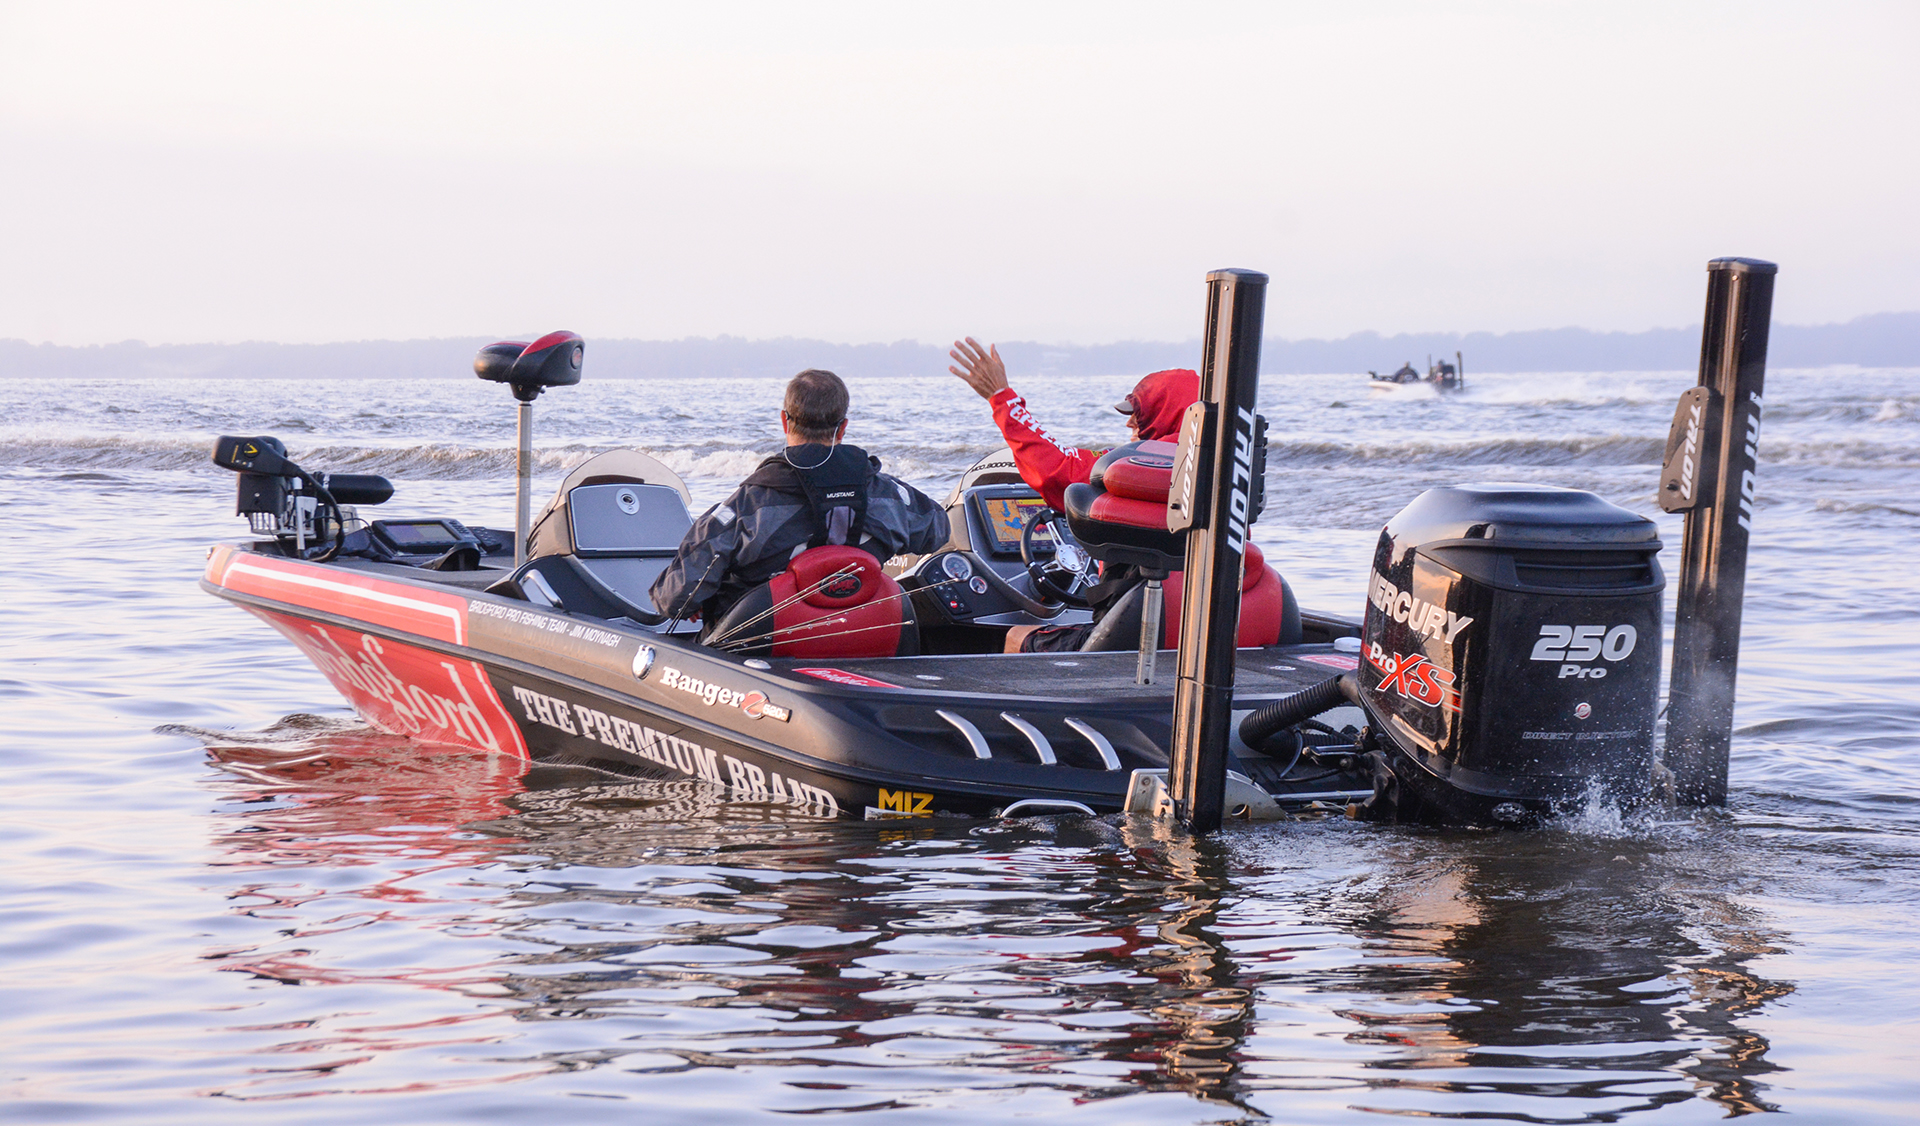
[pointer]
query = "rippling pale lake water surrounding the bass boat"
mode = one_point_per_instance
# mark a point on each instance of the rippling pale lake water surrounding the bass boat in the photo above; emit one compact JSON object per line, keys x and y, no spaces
{"x":228,"y":898}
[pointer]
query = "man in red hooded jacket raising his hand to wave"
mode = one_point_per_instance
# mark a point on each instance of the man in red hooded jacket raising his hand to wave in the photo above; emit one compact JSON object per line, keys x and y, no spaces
{"x":1155,"y":410}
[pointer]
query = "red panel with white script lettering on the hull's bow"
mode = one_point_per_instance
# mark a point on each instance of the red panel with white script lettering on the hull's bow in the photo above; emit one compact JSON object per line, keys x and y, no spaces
{"x":406,"y":691}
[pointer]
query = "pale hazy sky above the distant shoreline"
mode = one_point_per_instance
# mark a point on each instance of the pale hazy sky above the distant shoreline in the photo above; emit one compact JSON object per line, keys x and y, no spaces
{"x":853,"y":172}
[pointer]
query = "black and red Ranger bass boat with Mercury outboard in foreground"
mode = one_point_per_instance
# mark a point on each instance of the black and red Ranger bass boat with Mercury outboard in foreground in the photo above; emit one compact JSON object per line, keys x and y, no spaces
{"x":1504,"y":668}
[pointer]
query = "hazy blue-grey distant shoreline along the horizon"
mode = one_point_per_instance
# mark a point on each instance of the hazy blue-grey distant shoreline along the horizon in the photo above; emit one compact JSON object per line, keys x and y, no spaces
{"x":1873,"y":341}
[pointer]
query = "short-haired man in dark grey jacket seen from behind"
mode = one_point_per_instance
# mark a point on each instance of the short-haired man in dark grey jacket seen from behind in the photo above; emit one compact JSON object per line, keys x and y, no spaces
{"x":817,"y":491}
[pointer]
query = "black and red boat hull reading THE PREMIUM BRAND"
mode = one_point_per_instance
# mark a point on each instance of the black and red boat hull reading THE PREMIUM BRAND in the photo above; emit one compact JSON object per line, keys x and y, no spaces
{"x":471,"y":670}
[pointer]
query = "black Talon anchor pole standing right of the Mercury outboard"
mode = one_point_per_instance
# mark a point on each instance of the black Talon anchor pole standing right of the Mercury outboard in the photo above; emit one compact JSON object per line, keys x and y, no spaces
{"x":1710,"y":476}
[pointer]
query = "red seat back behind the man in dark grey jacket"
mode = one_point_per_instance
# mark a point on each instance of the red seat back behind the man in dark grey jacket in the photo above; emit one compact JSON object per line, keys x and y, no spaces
{"x":830,"y":602}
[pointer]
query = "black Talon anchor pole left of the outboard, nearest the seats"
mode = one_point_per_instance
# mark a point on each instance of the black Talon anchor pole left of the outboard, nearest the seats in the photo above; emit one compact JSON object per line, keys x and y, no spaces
{"x":1214,"y":495}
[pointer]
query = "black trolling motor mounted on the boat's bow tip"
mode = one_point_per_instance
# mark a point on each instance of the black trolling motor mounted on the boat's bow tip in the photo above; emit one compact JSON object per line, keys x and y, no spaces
{"x":274,"y":495}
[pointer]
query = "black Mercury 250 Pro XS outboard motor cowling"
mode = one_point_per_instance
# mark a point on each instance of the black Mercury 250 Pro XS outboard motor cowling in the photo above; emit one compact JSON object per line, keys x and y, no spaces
{"x":1512,"y":652}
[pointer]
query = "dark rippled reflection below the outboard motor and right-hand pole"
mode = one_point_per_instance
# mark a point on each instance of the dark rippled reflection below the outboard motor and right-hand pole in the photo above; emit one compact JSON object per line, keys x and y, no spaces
{"x":1493,"y":967}
